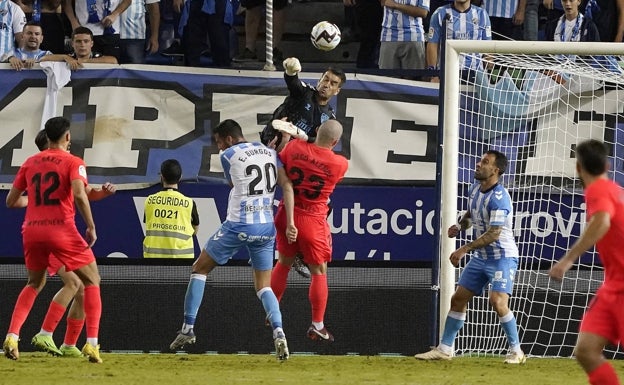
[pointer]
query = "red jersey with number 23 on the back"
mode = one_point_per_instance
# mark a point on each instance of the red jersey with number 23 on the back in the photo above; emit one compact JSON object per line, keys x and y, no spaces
{"x":314,"y":172}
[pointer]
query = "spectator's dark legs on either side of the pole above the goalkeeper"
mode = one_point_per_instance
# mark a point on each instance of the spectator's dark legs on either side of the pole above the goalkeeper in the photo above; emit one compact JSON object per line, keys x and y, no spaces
{"x":253,"y":17}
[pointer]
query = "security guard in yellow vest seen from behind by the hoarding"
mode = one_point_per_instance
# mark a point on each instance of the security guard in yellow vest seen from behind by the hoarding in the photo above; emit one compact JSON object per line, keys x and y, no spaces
{"x":170,"y":236}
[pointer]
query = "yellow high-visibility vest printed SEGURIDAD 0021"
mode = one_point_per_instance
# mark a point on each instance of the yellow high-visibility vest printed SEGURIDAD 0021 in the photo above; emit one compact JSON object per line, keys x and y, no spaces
{"x":168,"y":227}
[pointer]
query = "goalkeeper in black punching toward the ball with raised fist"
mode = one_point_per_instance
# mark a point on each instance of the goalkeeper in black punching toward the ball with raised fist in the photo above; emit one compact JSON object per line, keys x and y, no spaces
{"x":306,"y":106}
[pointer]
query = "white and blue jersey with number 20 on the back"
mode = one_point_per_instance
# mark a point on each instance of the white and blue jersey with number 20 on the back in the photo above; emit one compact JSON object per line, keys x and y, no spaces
{"x":251,"y":169}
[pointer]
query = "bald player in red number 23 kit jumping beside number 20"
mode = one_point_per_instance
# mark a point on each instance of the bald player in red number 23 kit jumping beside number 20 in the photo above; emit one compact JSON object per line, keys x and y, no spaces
{"x":314,"y":170}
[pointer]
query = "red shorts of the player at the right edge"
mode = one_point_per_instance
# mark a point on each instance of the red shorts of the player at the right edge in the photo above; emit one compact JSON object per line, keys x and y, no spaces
{"x":604,"y":316}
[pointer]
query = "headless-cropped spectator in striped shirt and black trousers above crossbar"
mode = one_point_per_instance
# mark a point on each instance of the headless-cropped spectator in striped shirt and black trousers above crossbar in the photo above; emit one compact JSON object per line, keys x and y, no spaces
{"x":506,"y":18}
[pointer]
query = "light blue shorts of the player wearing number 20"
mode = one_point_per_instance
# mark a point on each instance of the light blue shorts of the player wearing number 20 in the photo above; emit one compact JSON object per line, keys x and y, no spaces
{"x":259,"y":239}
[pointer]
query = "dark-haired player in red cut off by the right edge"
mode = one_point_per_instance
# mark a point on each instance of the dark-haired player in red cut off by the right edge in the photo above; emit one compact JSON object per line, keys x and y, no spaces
{"x":601,"y":323}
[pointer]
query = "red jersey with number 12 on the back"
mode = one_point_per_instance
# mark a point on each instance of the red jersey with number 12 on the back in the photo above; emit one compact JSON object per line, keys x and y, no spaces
{"x":47,"y":177}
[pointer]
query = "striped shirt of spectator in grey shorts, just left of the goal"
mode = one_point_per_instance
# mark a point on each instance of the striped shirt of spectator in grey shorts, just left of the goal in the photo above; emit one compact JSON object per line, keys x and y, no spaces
{"x":399,"y":26}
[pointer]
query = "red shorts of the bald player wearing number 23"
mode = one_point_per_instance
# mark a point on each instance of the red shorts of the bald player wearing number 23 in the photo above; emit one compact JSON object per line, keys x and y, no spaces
{"x":314,"y":239}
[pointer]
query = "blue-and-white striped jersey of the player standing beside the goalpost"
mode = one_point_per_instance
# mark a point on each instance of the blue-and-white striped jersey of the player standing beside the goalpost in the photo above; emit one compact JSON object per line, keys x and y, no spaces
{"x":493,"y":208}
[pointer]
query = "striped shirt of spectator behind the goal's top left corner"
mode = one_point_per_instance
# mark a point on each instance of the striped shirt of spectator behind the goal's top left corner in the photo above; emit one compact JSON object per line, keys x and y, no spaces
{"x":472,"y":24}
